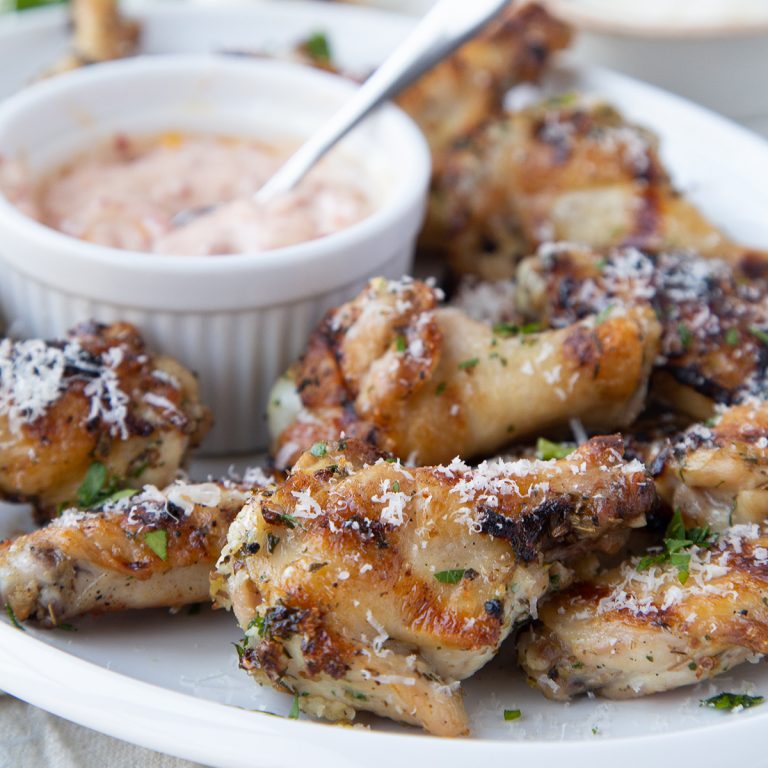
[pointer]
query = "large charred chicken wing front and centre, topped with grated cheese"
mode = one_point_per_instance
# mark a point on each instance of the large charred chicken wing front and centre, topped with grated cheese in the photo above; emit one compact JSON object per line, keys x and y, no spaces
{"x":362,"y":585}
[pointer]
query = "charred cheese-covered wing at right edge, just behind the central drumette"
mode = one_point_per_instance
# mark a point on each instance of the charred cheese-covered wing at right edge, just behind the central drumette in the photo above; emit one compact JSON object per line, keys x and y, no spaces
{"x":714,"y":343}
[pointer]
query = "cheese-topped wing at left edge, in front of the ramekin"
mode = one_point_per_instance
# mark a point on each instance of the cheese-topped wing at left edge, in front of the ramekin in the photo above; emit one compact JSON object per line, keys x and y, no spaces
{"x":97,"y":396}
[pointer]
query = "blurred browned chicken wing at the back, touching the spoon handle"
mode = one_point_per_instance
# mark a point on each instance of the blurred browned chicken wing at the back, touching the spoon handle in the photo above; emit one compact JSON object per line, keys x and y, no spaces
{"x":468,"y":88}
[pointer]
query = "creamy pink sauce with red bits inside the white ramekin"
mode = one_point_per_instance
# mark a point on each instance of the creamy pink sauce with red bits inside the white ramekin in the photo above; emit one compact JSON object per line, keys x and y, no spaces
{"x":126,"y":194}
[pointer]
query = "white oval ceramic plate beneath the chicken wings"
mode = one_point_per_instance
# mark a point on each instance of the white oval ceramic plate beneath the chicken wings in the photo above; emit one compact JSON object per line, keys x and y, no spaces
{"x":171,"y":682}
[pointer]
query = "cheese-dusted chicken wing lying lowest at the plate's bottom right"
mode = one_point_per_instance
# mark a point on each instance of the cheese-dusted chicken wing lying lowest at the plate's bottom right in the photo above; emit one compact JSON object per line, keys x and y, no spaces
{"x":631,"y":633}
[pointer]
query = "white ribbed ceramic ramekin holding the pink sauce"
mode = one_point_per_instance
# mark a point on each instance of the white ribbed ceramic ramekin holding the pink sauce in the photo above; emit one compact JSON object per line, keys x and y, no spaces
{"x":238,"y":321}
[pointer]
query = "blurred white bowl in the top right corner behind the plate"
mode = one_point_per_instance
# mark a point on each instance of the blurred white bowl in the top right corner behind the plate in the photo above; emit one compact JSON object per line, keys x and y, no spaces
{"x":714,"y":52}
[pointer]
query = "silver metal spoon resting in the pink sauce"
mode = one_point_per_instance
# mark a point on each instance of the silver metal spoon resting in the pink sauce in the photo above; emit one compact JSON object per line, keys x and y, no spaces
{"x":447,"y":25}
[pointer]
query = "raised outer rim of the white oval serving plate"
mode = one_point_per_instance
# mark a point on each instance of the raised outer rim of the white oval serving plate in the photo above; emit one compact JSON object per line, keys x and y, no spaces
{"x":23,"y":656}
